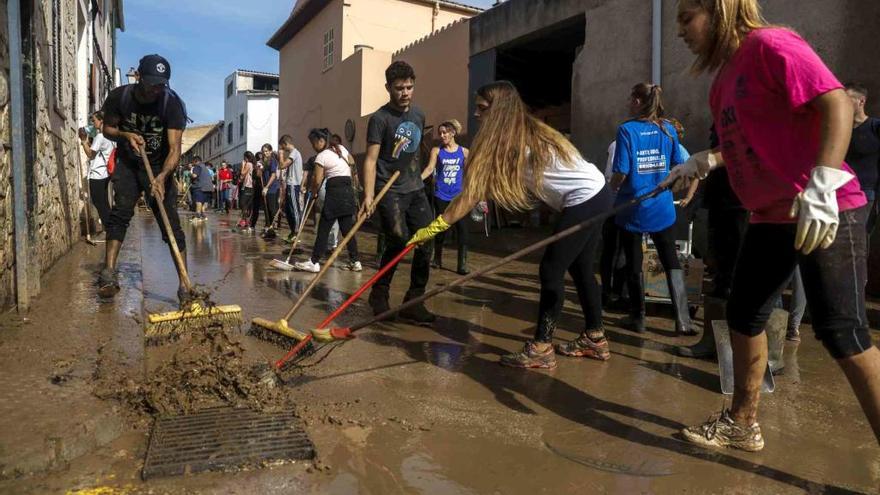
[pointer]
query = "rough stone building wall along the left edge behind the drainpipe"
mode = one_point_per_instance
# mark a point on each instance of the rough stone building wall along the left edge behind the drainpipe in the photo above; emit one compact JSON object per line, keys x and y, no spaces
{"x":53,"y":205}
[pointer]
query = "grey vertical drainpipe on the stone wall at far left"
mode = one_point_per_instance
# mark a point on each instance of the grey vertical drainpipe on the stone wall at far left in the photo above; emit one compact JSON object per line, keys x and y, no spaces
{"x":19,"y":192}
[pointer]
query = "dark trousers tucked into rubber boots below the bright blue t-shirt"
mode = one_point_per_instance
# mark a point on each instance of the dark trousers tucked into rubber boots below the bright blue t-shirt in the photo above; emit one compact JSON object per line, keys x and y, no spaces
{"x":664,"y":241}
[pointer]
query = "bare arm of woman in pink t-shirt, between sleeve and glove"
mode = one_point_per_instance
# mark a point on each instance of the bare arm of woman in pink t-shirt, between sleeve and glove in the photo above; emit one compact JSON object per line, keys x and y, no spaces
{"x":836,"y":112}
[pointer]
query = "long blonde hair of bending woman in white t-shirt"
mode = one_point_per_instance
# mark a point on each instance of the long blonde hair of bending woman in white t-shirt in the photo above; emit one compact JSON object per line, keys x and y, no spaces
{"x":499,"y":165}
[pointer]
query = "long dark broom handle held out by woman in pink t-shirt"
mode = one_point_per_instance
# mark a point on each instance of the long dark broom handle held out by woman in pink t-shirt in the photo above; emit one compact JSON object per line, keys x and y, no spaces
{"x":519,"y":254}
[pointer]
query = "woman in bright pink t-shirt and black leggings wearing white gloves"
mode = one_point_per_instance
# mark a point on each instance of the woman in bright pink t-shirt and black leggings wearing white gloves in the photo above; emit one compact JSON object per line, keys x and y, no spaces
{"x":783,"y":123}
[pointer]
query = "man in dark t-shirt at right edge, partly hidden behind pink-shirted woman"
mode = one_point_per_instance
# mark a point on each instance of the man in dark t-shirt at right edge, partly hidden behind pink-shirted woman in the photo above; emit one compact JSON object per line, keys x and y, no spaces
{"x":863,"y":154}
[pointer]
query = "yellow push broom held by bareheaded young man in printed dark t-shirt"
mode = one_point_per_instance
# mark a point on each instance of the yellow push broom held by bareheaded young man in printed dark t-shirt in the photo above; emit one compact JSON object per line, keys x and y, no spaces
{"x":279,"y":331}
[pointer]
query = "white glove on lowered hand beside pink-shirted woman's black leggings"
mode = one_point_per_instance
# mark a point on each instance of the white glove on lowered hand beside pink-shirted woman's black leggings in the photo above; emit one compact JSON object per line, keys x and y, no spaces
{"x":816,"y":209}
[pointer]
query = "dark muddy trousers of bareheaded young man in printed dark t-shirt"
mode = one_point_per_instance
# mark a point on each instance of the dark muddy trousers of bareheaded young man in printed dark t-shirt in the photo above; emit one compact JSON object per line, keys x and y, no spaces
{"x":401,"y":216}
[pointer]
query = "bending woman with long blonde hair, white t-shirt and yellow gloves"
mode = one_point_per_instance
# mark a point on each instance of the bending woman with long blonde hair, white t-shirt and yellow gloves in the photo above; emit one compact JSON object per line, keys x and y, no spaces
{"x":516,"y":160}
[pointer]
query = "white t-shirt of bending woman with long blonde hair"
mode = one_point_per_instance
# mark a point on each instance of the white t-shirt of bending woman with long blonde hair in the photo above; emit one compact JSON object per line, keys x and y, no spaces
{"x":565,"y":187}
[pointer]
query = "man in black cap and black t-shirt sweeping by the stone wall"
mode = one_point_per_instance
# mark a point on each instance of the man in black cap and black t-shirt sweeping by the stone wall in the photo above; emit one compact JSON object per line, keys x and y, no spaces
{"x":148,"y":115}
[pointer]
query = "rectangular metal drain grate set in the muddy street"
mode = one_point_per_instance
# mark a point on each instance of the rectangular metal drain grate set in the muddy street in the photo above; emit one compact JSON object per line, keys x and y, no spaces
{"x":223,"y":438}
